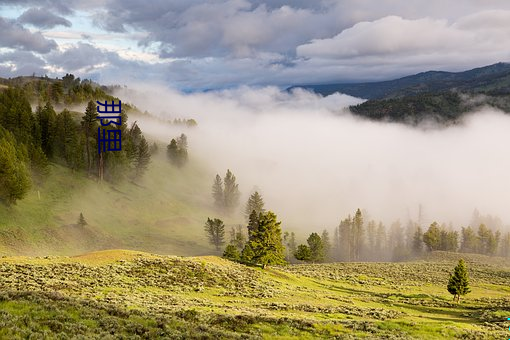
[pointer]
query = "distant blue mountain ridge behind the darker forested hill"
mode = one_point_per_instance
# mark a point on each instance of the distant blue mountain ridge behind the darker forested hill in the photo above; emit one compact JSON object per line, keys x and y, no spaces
{"x":489,"y":79}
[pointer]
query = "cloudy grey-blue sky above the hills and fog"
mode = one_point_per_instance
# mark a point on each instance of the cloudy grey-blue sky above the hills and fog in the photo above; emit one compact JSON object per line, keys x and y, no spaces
{"x":194,"y":45}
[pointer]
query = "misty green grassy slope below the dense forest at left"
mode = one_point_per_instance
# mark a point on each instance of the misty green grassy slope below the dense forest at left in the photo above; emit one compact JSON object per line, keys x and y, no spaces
{"x":164,"y":213}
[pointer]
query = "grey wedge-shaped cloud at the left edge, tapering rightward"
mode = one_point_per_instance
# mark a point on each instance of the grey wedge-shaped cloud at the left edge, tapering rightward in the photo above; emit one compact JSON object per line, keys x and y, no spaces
{"x":15,"y":36}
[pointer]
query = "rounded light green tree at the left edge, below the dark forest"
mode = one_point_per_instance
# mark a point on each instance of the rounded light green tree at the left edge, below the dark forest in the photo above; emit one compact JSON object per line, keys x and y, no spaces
{"x":14,"y":175}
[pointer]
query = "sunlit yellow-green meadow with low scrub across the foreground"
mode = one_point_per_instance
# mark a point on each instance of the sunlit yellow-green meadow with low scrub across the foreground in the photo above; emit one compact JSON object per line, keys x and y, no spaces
{"x":138,"y":295}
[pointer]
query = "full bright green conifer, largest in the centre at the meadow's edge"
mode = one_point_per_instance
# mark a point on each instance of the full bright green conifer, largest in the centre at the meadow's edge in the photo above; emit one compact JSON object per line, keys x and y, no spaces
{"x":266,"y":241}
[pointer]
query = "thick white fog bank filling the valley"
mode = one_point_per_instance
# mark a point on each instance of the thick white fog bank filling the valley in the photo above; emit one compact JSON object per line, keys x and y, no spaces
{"x":314,"y":163}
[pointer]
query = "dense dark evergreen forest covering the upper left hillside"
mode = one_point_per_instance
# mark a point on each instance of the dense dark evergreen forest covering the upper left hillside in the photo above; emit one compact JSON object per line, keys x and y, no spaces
{"x":29,"y":139}
